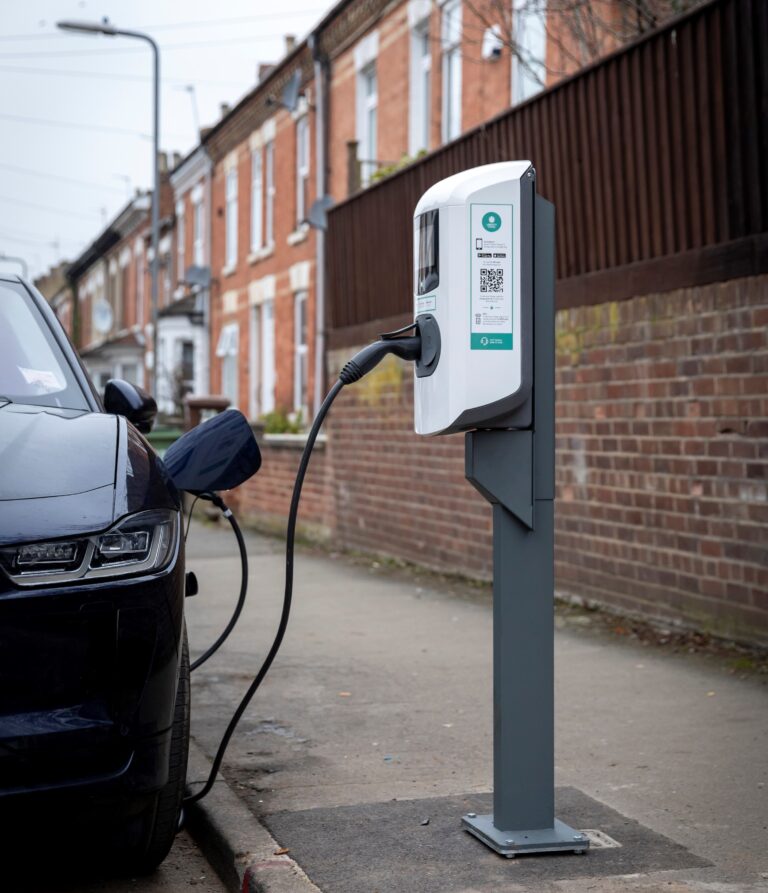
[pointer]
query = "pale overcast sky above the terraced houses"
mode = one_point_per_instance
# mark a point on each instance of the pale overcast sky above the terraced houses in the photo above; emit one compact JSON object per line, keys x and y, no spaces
{"x":76,"y":114}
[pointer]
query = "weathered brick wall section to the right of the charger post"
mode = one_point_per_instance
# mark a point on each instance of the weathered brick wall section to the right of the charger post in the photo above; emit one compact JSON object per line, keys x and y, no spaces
{"x":662,"y":462}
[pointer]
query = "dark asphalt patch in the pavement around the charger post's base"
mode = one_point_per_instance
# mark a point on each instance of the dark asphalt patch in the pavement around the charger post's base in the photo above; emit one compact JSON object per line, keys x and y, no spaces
{"x":418,"y":846}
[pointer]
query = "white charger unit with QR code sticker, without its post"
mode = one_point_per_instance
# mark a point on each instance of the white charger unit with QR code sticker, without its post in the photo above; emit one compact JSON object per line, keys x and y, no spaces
{"x":473,"y":287}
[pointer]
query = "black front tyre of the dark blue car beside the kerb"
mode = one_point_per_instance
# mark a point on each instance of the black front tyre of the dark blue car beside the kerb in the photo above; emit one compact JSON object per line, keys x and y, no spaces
{"x":159,"y":822}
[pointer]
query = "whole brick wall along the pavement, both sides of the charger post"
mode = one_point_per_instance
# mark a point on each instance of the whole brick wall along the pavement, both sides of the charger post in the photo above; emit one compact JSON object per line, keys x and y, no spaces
{"x":662,"y":463}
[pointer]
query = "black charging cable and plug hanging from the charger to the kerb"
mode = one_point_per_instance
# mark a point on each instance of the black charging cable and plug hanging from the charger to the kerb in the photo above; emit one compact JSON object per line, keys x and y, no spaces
{"x":407,"y":348}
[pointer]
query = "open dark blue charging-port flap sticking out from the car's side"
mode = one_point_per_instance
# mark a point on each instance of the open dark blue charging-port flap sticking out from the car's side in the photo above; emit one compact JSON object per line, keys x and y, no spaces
{"x":216,"y":455}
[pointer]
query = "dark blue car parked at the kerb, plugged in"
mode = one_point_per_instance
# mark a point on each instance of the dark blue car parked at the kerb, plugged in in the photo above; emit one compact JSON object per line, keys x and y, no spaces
{"x":94,"y":668}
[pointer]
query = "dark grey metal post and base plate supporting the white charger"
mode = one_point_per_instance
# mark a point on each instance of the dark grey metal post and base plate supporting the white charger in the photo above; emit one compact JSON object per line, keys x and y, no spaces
{"x":514,"y":470}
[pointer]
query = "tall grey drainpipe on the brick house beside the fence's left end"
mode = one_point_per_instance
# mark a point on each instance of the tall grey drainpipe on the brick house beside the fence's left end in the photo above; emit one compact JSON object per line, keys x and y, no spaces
{"x":321,"y":72}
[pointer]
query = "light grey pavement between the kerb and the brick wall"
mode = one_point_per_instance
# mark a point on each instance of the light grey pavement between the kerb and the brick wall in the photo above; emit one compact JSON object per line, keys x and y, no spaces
{"x":382,"y":694}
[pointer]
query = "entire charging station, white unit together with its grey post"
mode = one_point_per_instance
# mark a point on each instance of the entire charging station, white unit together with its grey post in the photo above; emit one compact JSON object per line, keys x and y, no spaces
{"x":484,"y":307}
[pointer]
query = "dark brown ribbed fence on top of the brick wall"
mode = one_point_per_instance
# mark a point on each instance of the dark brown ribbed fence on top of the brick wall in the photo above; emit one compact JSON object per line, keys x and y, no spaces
{"x":656,"y":160}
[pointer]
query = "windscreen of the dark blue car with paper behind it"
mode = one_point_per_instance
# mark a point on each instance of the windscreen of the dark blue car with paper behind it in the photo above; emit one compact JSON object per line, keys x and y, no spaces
{"x":33,"y":368}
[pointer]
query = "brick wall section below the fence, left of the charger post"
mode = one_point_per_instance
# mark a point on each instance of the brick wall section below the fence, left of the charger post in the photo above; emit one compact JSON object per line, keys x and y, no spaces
{"x":397,"y":493}
